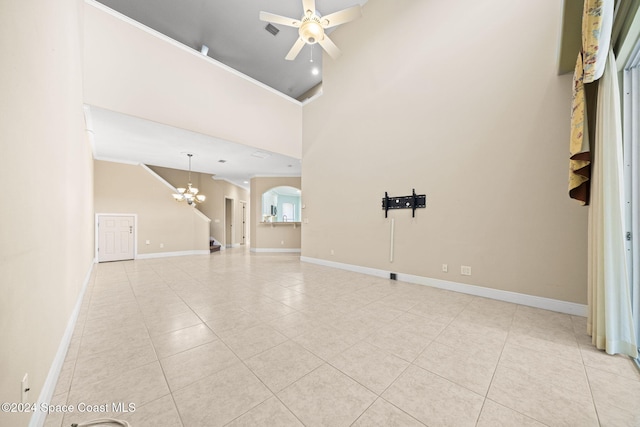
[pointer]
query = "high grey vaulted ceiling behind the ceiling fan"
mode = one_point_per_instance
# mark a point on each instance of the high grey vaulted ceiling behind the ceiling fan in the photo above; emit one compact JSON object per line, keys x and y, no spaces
{"x":236,"y":37}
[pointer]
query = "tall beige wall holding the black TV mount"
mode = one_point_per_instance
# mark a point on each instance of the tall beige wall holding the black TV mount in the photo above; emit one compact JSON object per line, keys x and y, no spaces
{"x":462,"y":102}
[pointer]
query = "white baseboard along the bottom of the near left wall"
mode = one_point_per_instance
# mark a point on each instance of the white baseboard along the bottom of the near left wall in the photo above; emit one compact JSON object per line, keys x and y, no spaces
{"x":38,"y":417}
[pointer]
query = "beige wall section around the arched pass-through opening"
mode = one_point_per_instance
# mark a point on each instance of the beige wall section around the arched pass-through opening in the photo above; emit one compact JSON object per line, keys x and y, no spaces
{"x":281,"y":237}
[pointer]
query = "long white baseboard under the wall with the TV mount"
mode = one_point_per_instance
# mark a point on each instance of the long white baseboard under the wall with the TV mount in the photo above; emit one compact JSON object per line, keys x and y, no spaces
{"x":497,"y":294}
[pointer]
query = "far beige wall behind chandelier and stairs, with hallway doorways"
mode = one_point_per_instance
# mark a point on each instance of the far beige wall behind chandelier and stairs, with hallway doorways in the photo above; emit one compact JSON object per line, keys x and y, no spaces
{"x":216,"y":191}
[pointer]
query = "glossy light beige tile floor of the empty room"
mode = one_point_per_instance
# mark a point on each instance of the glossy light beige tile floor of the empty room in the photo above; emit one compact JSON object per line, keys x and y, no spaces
{"x":244,"y":339}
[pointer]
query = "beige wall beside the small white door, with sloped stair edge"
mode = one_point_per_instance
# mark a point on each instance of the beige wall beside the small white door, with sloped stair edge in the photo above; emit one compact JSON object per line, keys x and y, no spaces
{"x":132,"y":189}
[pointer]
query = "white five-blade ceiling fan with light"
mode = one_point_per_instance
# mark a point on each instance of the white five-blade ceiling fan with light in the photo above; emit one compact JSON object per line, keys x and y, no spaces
{"x":312,"y":25}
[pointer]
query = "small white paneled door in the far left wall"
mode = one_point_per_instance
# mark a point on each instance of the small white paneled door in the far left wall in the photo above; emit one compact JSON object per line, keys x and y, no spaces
{"x":115,"y":237}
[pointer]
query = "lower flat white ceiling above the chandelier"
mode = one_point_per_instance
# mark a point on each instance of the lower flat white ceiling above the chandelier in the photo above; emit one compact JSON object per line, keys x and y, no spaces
{"x":123,"y":138}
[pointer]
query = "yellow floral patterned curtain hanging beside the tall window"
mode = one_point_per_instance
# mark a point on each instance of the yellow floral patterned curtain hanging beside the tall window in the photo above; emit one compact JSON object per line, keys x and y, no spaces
{"x":597,"y":22}
